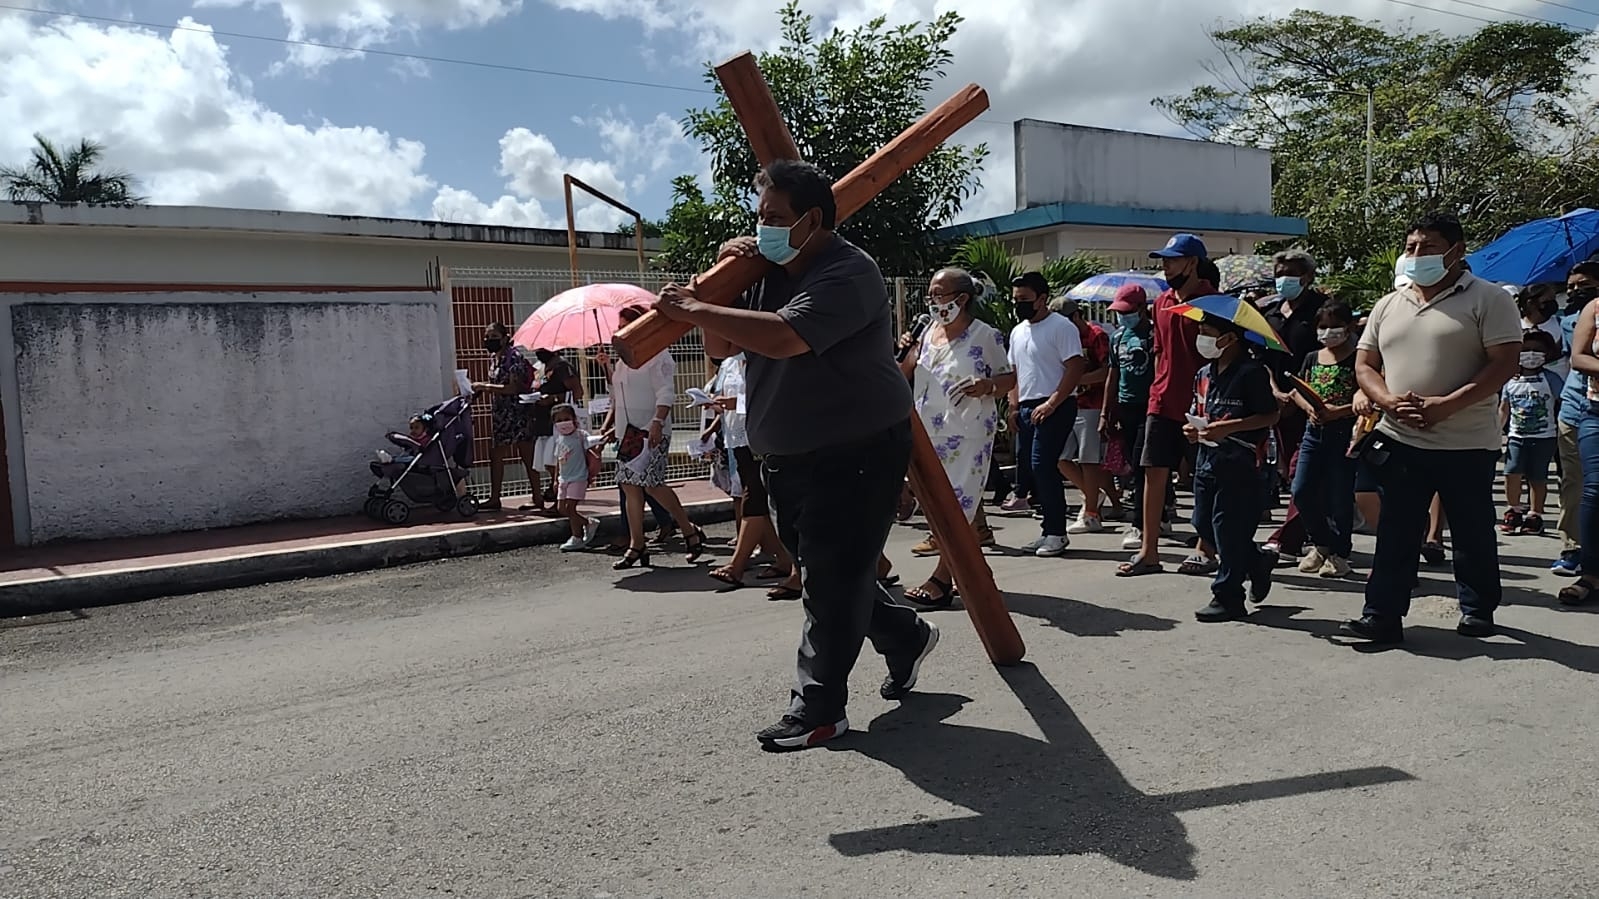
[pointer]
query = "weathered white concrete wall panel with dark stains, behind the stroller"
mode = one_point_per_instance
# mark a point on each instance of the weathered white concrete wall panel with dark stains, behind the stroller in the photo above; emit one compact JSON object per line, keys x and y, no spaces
{"x":169,"y":414}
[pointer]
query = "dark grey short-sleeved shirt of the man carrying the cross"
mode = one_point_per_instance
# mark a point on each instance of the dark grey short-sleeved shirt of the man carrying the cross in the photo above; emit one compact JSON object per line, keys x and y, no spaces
{"x":848,"y":388}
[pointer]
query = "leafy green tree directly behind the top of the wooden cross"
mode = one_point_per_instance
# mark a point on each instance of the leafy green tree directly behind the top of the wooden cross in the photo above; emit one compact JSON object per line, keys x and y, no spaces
{"x":843,"y":97}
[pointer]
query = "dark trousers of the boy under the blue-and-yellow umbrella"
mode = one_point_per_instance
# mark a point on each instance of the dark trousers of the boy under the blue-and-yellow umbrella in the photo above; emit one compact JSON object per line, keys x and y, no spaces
{"x":1227,"y":514}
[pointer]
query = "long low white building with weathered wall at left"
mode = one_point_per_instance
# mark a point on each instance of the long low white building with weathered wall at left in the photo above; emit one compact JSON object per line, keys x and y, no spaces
{"x":183,"y":369}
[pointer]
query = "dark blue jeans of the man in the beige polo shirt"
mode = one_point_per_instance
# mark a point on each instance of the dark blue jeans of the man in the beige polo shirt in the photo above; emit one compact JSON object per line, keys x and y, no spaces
{"x":1464,"y":482}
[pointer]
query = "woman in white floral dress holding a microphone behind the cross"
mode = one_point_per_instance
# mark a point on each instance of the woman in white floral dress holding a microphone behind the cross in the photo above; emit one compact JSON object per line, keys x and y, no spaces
{"x":957,"y":375}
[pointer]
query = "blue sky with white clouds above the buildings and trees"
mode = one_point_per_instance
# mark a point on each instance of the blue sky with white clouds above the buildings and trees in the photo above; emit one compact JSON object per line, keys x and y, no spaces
{"x":210,"y":103}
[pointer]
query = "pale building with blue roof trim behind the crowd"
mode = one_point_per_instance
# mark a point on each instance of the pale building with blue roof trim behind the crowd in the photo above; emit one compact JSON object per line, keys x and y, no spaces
{"x":1120,"y":196}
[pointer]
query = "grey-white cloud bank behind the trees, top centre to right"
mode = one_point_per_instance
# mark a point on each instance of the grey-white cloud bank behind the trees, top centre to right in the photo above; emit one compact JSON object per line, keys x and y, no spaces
{"x":1082,"y":62}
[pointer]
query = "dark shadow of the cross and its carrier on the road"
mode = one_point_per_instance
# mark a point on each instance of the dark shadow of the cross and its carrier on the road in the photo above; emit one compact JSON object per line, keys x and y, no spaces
{"x":1055,"y":797}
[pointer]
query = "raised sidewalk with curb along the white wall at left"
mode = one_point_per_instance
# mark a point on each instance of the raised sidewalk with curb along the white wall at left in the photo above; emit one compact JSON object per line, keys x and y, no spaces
{"x":97,"y":573}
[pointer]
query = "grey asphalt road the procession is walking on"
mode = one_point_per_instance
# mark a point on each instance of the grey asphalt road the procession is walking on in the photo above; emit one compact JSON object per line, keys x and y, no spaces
{"x":536,"y":725}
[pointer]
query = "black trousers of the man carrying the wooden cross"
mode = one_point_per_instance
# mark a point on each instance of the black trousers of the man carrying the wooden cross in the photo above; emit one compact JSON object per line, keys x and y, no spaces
{"x":834,"y":513}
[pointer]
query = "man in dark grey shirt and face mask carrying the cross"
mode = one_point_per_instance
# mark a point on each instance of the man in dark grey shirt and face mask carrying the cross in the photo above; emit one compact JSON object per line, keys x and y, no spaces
{"x":829,"y":412}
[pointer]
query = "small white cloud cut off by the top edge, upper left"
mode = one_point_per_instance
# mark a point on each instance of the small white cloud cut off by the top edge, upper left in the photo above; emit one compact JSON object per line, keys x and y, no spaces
{"x":369,"y":23}
